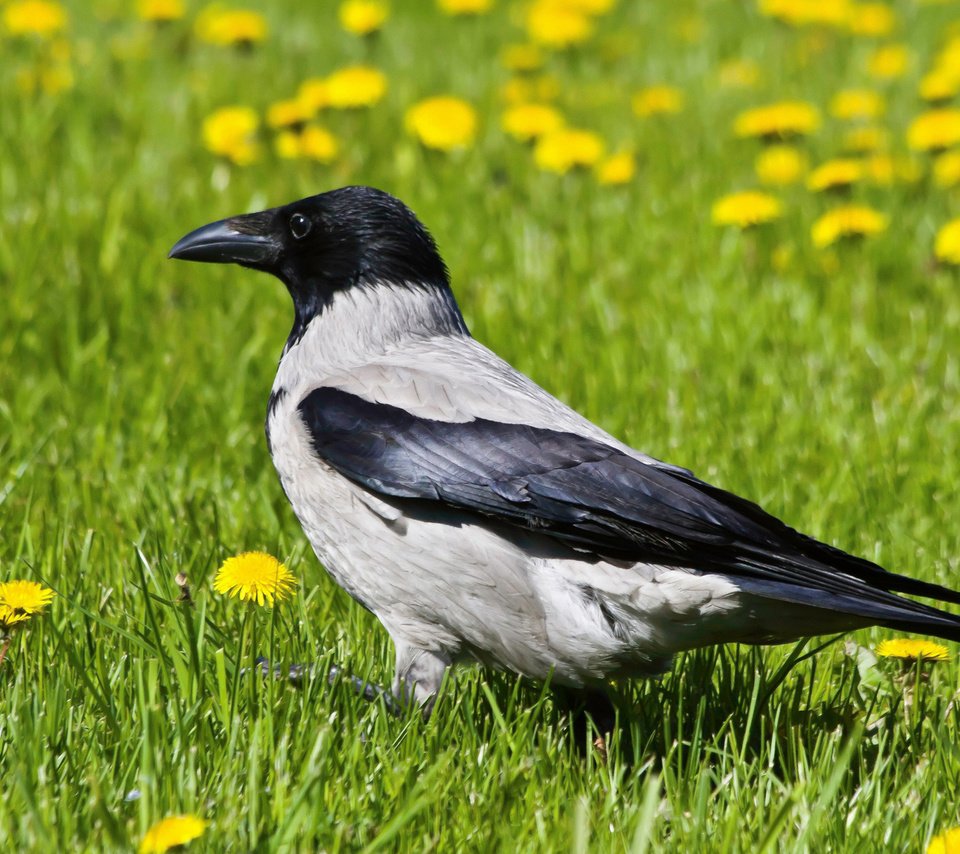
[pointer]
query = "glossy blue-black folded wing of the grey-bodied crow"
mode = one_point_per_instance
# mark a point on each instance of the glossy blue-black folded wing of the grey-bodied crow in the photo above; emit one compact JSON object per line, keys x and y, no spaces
{"x":599,"y":499}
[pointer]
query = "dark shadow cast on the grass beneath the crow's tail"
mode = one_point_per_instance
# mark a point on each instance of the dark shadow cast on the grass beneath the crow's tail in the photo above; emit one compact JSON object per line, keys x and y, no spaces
{"x":733,"y":700}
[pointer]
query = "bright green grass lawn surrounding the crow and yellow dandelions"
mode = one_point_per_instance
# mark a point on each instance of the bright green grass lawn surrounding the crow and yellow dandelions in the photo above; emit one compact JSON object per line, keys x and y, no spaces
{"x":132,"y":396}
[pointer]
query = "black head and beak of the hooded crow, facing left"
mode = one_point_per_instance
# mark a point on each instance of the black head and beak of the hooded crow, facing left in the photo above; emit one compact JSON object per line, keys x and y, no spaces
{"x":351,"y":237}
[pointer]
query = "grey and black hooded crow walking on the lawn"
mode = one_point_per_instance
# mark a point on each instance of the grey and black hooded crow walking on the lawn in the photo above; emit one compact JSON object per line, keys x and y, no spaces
{"x":481,"y":519}
